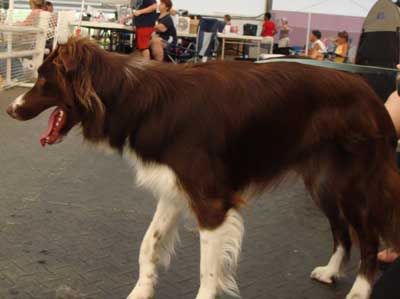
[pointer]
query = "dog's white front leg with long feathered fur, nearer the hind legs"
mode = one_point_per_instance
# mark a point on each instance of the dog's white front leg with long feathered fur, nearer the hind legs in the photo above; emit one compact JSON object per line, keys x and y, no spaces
{"x":220,"y":249}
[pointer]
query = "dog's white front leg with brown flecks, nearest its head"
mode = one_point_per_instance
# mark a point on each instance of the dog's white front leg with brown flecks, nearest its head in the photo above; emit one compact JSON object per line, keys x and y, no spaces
{"x":158,"y":245}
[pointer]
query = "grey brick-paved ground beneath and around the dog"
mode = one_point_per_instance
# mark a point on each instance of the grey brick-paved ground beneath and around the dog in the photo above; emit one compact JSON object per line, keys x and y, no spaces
{"x":71,"y":217}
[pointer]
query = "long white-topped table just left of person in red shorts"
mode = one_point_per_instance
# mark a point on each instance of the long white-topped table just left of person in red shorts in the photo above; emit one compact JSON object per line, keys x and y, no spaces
{"x":118,"y":28}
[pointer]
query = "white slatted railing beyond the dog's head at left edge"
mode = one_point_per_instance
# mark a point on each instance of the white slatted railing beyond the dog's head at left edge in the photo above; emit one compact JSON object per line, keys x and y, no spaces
{"x":23,"y":45}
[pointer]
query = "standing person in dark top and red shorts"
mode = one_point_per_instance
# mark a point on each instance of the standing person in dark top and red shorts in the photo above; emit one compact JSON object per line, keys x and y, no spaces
{"x":145,"y":17}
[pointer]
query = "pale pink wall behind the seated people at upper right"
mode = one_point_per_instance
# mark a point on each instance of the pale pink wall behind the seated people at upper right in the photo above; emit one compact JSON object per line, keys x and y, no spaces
{"x":329,"y":25}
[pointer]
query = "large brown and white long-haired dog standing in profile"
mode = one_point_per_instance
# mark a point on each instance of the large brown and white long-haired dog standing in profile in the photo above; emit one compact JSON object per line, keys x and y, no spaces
{"x":201,"y":136}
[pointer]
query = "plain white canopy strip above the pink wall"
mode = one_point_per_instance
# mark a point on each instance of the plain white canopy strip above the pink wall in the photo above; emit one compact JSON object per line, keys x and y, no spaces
{"x":356,"y":8}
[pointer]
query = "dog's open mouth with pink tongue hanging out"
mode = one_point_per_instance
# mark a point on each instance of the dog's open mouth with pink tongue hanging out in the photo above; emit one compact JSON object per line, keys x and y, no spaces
{"x":56,"y":123}
